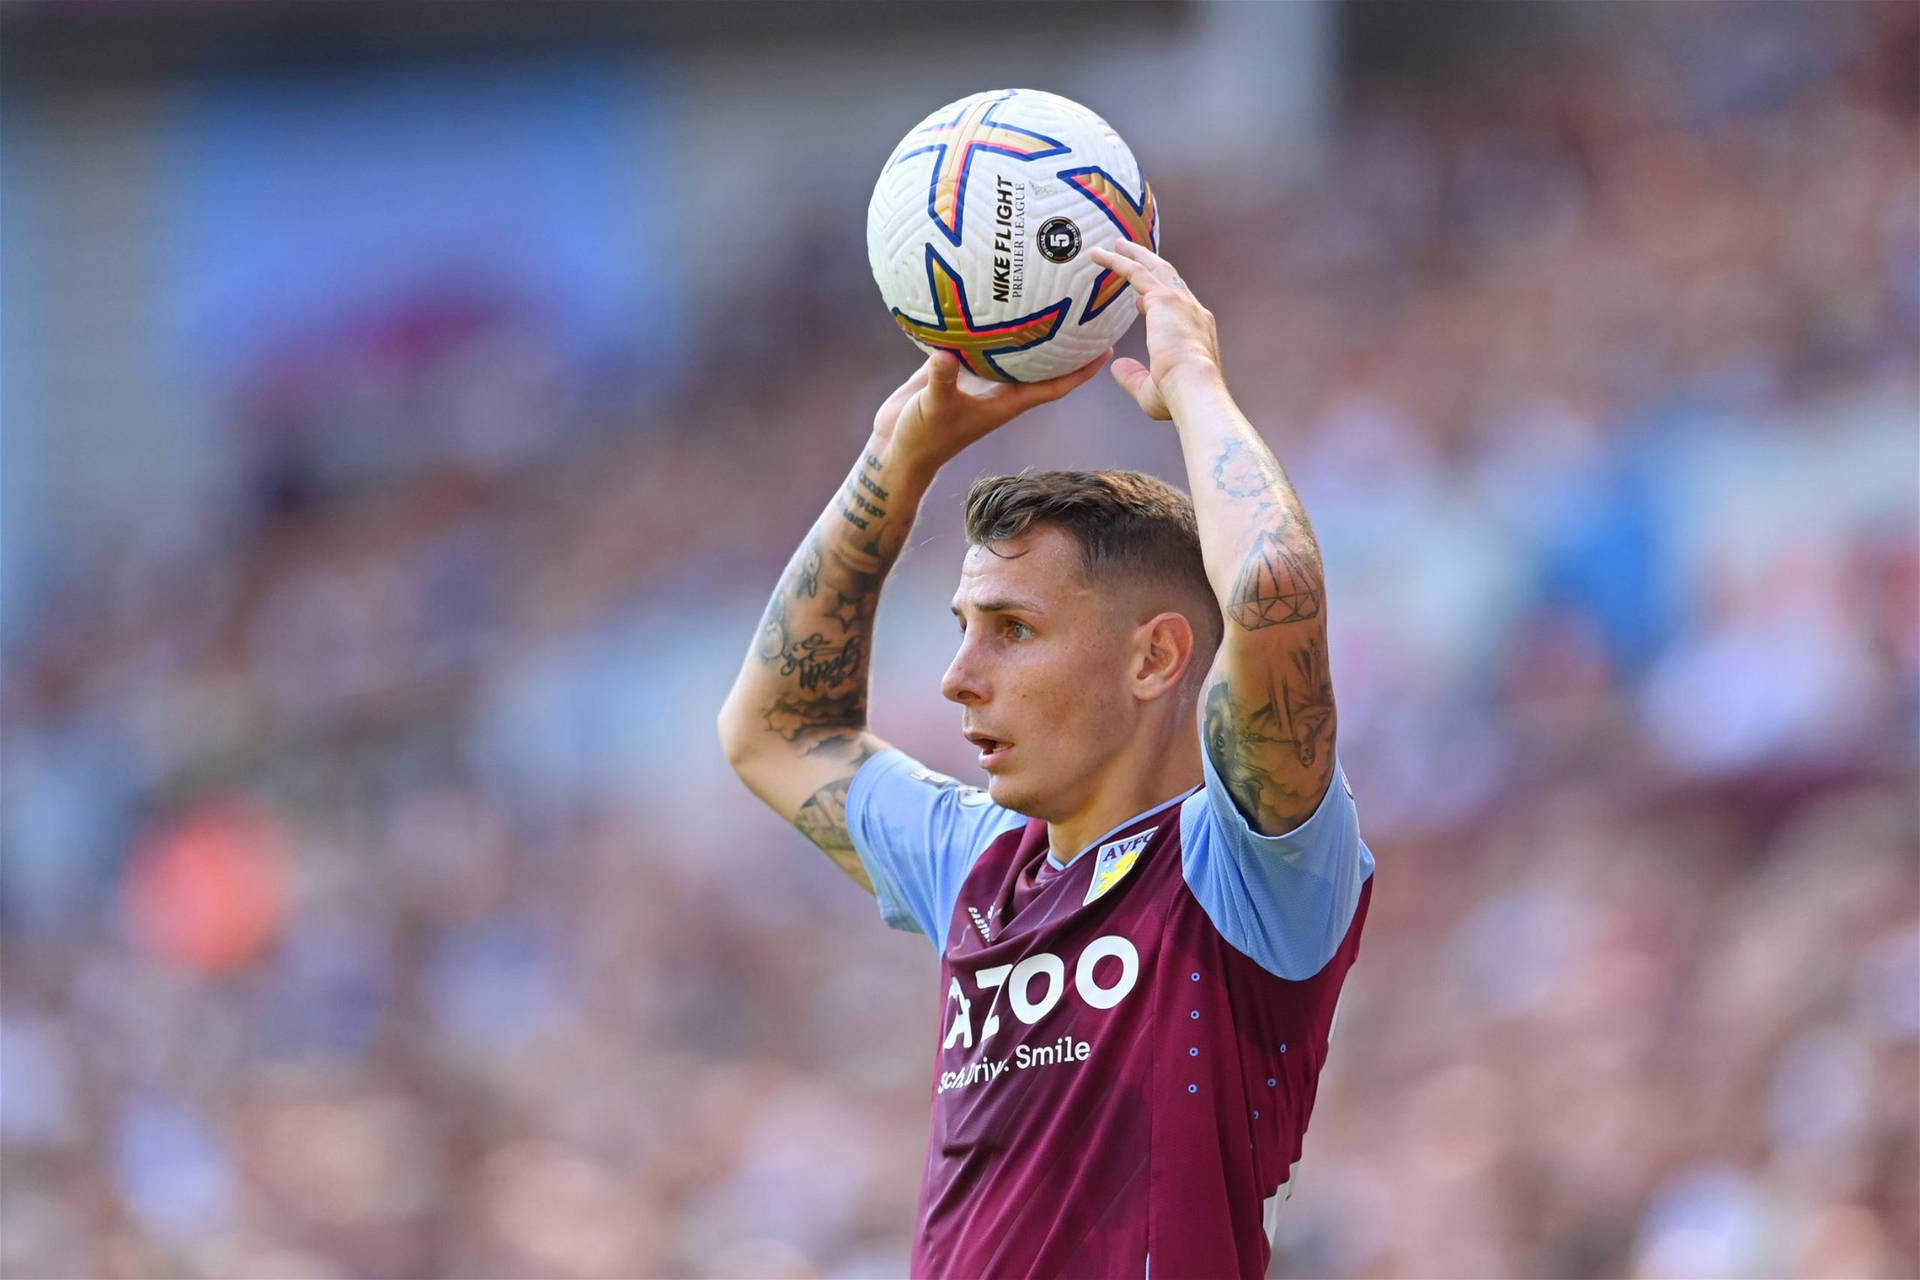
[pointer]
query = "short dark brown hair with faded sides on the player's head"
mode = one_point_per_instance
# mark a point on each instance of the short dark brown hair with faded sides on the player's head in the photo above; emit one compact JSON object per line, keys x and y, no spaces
{"x":1128,"y":525}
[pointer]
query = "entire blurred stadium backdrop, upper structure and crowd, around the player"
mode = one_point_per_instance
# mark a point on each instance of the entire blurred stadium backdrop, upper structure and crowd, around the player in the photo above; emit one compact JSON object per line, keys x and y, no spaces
{"x":408,"y":410}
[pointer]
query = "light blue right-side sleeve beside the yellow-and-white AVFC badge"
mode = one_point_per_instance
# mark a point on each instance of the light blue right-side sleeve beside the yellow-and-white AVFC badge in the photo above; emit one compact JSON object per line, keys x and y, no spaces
{"x":1285,"y":901}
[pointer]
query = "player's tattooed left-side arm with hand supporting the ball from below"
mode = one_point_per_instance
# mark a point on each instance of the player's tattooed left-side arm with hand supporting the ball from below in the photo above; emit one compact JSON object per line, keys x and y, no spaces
{"x":794,"y":724}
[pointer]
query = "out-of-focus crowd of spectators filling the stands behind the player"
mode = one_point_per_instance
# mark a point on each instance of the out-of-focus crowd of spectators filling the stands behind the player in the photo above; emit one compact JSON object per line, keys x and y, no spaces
{"x":379,"y":905}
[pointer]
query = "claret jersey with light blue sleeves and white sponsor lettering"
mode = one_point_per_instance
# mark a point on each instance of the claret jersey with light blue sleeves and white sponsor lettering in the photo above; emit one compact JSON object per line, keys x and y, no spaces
{"x":1130,"y":1043}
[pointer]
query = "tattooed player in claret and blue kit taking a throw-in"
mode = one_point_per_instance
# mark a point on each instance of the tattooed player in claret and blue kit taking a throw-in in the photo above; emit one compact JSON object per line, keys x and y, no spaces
{"x":1143,"y":924}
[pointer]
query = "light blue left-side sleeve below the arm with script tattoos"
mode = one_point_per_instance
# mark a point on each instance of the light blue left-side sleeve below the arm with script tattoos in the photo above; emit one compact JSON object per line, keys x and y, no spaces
{"x":919,"y":834}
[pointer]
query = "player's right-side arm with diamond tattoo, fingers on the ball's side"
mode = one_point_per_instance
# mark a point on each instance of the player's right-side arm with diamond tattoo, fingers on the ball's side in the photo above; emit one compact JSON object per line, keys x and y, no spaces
{"x":1270,"y":715}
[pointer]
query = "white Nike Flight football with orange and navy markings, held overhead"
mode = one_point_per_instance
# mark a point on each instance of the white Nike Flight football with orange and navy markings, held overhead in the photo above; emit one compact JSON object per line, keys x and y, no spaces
{"x":980,"y":229}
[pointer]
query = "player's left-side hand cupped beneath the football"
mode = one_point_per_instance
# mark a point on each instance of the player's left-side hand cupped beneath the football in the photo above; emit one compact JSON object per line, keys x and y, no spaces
{"x":942,"y":410}
